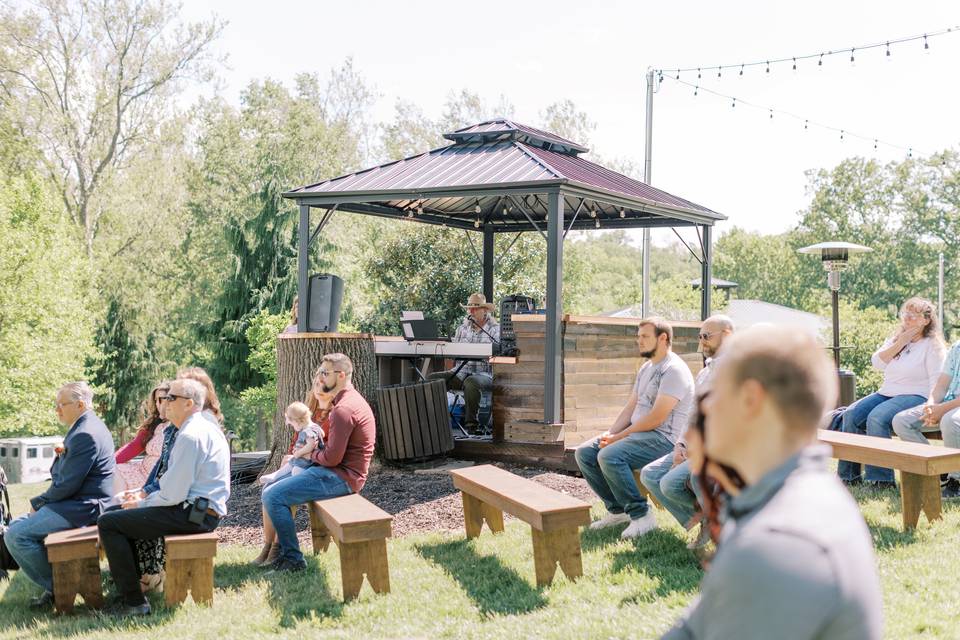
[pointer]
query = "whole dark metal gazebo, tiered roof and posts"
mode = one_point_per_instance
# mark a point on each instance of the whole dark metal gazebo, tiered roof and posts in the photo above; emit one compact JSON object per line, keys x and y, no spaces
{"x":503,"y":177}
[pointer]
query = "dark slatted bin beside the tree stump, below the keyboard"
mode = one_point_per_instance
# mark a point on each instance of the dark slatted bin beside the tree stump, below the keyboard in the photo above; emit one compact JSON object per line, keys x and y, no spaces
{"x":415,"y":421}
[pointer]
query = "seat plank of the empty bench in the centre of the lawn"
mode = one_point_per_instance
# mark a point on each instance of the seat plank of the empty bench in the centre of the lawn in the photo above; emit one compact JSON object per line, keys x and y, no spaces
{"x":539,"y":506}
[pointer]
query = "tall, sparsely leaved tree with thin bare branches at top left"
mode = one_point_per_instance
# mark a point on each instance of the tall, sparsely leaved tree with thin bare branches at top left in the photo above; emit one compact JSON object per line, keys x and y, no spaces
{"x":90,"y":82}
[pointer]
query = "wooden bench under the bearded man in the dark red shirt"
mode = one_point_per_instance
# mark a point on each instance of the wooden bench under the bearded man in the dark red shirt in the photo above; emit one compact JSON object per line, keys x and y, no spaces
{"x":360,"y":529}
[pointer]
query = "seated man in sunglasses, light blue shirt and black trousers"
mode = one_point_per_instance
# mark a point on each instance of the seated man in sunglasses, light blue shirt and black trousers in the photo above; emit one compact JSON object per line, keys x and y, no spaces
{"x":192,"y":497}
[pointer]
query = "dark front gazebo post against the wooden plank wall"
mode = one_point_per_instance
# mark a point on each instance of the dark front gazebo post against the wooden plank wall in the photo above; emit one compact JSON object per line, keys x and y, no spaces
{"x":553,"y":331}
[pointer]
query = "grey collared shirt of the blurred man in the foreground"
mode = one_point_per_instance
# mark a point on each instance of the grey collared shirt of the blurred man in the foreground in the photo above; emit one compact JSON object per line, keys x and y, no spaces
{"x":795,"y":561}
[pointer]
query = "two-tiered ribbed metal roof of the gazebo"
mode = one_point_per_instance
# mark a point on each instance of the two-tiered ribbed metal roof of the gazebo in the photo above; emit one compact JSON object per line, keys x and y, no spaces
{"x":496,"y":175}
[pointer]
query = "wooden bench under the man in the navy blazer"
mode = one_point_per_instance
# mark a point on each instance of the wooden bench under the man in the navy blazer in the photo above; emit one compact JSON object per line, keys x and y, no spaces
{"x":74,"y":555}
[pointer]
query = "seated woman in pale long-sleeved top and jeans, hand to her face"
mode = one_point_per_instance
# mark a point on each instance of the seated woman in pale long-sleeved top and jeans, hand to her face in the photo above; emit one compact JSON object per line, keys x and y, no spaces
{"x":911,"y":360}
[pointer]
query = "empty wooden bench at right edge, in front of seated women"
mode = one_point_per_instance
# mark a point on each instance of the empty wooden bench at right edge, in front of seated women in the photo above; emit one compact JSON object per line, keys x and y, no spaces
{"x":920,"y":467}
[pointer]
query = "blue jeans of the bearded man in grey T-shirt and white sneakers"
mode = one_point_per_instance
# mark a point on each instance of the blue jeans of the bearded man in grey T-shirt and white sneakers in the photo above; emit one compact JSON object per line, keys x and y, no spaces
{"x":609,"y":471}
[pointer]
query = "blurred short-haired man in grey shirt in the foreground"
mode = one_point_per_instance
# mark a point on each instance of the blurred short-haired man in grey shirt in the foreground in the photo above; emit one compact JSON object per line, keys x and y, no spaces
{"x":795,"y":559}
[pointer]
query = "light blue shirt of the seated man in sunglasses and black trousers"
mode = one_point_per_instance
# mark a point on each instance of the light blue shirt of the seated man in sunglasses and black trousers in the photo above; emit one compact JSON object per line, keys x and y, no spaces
{"x":199,"y":467}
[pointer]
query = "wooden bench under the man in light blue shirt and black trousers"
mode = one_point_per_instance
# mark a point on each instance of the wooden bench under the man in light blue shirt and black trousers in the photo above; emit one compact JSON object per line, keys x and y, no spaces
{"x":189,"y":567}
